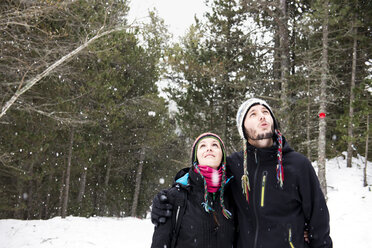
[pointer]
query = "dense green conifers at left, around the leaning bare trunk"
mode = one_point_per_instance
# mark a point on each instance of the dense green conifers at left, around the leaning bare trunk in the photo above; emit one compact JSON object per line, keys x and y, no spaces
{"x":71,"y":145}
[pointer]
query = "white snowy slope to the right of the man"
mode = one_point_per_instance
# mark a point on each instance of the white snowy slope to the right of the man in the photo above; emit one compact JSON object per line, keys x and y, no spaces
{"x":349,"y":203}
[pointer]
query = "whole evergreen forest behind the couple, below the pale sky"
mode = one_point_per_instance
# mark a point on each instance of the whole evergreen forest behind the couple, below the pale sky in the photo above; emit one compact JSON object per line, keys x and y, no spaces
{"x":86,"y":130}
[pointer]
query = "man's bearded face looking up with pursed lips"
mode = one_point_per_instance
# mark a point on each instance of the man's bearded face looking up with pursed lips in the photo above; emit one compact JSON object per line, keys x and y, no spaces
{"x":258,"y":123}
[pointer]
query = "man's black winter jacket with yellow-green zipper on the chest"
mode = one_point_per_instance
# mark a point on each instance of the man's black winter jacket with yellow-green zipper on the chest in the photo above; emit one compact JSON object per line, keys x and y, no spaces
{"x":275,"y":216}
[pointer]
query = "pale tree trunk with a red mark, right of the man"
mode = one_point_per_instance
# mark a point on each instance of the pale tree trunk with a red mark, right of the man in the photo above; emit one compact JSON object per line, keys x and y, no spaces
{"x":323,"y":104}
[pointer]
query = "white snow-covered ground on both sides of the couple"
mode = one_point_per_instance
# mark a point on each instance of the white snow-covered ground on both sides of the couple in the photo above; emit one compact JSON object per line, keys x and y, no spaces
{"x":349,"y":204}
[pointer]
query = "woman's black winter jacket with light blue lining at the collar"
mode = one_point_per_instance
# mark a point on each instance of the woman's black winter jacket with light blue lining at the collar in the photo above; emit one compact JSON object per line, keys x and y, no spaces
{"x":198,"y":229}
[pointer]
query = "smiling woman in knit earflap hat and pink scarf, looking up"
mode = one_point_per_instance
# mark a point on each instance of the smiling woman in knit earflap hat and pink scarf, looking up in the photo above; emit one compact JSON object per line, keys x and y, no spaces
{"x":202,"y":212}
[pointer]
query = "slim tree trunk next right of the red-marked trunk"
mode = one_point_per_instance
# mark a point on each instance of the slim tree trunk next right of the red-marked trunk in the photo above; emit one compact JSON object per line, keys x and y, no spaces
{"x":351,"y":107}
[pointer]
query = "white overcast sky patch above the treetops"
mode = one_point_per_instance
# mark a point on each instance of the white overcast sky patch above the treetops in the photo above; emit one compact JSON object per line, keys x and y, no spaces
{"x":177,"y":14}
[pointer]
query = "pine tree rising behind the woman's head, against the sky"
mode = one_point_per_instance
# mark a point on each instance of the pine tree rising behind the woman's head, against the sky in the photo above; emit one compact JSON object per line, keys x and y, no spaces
{"x":213,"y":69}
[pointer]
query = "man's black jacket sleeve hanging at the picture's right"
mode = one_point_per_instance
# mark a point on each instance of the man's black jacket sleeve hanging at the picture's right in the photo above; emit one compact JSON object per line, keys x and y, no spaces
{"x":314,"y":207}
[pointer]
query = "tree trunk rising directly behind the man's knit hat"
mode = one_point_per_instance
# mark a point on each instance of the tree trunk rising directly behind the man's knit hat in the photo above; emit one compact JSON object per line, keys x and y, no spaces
{"x":284,"y":64}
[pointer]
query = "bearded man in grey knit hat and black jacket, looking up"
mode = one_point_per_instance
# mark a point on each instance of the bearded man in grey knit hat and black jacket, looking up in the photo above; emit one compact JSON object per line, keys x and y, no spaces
{"x":275,"y":189}
